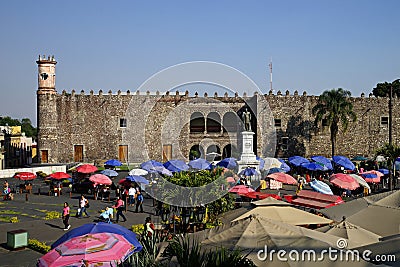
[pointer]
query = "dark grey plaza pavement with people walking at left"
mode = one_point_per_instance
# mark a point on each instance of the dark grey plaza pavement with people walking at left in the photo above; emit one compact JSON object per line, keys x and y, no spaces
{"x":31,"y":215}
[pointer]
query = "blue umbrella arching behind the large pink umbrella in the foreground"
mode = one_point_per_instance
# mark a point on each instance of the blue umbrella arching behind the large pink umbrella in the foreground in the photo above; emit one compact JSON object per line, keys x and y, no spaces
{"x":101,"y":227}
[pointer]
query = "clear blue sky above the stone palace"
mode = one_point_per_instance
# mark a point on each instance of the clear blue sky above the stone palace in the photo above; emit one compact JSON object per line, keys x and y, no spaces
{"x":314,"y":45}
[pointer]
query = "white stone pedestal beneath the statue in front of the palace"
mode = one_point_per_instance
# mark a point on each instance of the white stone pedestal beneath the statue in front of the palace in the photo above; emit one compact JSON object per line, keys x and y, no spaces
{"x":248,"y":158}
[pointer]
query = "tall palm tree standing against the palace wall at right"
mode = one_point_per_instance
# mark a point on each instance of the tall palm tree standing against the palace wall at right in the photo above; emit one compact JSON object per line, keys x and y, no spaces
{"x":335,"y":108}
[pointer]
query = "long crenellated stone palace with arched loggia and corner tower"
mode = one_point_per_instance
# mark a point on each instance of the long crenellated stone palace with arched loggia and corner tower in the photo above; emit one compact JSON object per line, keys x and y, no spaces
{"x":134,"y":127}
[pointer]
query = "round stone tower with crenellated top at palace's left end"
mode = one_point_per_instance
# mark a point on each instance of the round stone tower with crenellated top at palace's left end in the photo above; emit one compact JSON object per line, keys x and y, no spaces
{"x":46,"y":109}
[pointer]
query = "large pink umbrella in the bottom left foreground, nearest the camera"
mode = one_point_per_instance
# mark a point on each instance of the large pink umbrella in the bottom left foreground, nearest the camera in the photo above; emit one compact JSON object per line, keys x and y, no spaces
{"x":99,"y":249}
